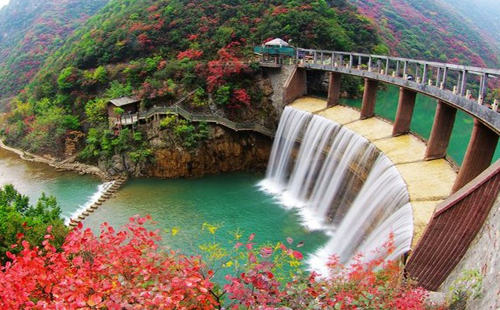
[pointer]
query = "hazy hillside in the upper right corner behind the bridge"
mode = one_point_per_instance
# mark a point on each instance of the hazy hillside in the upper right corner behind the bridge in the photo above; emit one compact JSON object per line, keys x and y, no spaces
{"x":430,"y":30}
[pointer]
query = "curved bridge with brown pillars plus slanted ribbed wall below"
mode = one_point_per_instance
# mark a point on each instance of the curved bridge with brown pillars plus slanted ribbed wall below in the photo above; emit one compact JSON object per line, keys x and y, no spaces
{"x":458,"y":219}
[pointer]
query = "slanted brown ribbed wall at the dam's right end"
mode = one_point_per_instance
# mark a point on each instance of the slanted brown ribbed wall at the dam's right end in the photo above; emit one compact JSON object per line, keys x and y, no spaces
{"x":454,"y":225}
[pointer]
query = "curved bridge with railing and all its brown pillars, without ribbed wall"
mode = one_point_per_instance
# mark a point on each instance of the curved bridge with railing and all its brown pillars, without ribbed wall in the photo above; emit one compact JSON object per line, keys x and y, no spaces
{"x":454,"y":86}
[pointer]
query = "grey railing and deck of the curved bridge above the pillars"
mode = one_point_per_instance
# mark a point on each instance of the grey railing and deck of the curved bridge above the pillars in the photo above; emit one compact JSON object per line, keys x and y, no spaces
{"x":450,"y":83}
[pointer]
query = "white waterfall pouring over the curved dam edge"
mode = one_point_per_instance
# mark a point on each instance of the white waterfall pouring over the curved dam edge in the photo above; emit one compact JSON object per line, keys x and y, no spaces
{"x":340,"y":183}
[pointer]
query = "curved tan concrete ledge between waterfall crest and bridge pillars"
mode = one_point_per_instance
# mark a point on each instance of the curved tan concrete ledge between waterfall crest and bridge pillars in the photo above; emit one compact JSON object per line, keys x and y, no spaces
{"x":429,"y":182}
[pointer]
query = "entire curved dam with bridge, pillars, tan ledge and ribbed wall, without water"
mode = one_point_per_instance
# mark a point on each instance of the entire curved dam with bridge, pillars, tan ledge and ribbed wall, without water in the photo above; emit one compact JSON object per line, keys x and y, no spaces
{"x":454,"y":207}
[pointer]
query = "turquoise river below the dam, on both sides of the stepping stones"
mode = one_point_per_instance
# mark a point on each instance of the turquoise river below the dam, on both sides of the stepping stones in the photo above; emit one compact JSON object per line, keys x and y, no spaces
{"x":231,"y":200}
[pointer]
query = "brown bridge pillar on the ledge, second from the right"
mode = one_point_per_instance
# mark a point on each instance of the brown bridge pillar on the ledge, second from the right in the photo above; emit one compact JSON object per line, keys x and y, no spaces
{"x":441,"y":131}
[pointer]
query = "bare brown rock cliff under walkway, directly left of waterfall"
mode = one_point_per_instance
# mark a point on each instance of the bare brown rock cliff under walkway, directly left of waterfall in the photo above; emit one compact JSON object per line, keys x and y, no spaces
{"x":224,"y":151}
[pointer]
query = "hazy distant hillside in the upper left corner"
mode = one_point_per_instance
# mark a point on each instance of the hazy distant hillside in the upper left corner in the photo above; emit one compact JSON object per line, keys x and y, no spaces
{"x":31,"y":30}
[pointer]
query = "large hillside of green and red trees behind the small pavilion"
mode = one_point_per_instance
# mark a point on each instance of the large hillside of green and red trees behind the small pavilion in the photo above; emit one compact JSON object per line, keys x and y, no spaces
{"x":160,"y":50}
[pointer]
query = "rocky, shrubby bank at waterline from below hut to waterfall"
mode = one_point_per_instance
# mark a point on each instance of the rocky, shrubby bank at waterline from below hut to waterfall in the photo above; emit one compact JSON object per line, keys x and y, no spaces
{"x":224,"y":150}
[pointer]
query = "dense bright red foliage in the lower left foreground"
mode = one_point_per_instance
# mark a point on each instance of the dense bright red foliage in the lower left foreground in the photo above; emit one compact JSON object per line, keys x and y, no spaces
{"x":117,"y":270}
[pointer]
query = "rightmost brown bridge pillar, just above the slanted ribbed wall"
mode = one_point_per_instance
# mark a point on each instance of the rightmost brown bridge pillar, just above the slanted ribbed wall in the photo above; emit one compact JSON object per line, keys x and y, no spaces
{"x":480,"y":151}
